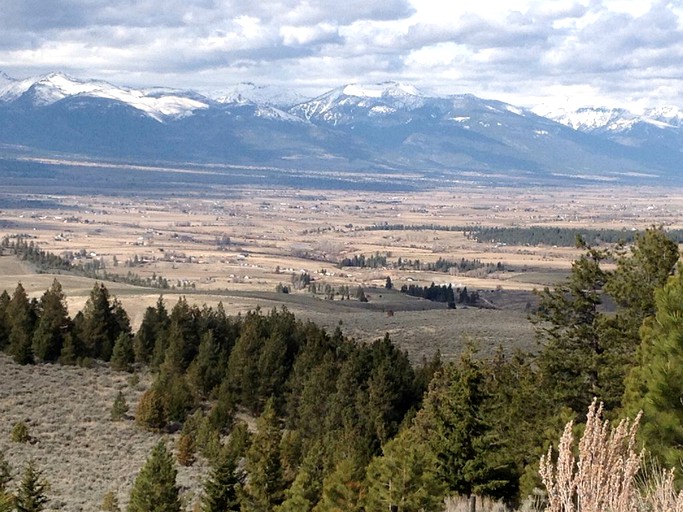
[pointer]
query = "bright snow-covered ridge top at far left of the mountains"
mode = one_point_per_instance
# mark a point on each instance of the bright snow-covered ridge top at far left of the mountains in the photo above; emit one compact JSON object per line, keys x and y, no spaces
{"x":158,"y":103}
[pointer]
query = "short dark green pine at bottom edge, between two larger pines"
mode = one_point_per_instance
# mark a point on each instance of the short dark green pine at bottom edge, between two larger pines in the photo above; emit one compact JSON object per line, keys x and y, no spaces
{"x":221,"y":487}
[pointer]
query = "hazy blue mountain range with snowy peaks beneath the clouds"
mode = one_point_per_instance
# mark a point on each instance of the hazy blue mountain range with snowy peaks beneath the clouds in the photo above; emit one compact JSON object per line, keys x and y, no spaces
{"x":366,"y":130}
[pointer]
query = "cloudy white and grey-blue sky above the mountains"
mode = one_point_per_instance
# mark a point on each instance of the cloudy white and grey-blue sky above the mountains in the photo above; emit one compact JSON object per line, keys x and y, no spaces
{"x":559,"y":53}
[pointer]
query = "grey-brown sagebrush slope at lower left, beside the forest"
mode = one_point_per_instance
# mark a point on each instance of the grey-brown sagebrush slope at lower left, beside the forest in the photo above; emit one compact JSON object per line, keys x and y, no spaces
{"x":82,"y":453}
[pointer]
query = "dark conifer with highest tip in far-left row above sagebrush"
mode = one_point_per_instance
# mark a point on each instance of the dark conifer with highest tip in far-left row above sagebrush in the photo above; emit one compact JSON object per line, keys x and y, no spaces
{"x":53,"y":324}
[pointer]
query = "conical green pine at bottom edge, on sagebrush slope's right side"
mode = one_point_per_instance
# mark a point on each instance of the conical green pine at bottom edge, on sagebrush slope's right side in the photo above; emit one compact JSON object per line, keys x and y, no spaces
{"x":155,"y":488}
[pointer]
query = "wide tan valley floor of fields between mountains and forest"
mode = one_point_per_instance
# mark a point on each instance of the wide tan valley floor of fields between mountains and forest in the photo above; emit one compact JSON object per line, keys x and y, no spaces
{"x":235,"y":246}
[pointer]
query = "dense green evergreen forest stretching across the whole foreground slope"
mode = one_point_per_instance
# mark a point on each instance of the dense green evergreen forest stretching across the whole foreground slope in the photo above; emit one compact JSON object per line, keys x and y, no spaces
{"x":346,"y":426}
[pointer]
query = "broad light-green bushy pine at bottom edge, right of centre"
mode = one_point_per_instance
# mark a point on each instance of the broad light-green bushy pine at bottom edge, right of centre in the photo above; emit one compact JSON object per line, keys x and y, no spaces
{"x":404,"y":477}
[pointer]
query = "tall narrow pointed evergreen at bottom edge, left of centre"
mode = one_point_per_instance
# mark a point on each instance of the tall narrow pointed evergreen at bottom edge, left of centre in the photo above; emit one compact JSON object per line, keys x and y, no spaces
{"x":265,"y":486}
